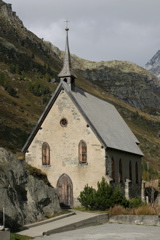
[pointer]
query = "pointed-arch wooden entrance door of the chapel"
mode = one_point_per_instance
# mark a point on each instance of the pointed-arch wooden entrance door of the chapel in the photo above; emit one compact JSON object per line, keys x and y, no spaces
{"x":65,"y":191}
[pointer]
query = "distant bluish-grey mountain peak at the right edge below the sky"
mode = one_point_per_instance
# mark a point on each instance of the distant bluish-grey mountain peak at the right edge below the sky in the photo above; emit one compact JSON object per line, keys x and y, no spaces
{"x":154,"y":64}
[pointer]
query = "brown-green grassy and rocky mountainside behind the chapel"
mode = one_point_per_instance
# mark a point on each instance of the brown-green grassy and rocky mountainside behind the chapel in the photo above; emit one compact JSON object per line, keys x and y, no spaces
{"x":28,"y":77}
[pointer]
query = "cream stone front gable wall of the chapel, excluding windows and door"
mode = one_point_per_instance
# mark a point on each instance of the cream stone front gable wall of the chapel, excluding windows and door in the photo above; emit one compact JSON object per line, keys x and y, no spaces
{"x":63,"y":142}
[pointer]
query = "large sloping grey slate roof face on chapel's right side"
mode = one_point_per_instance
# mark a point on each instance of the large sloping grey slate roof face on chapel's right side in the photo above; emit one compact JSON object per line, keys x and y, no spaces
{"x":109,"y":124}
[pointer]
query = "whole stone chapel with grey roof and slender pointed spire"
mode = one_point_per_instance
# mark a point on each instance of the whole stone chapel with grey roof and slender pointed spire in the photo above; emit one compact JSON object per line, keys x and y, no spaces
{"x":80,"y":138}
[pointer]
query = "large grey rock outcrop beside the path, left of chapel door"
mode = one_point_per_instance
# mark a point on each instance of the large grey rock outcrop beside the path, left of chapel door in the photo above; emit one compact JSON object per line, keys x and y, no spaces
{"x":24,"y":192}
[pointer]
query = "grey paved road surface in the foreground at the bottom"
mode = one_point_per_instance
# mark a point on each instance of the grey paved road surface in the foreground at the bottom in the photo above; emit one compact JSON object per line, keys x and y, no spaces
{"x":109,"y":232}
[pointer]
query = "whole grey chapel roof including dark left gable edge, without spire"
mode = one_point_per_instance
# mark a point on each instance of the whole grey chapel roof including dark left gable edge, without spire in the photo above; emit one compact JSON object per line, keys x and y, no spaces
{"x":101,"y":116}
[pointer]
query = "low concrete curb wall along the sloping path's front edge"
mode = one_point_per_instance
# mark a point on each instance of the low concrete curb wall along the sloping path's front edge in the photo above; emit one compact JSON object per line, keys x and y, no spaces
{"x":99,"y":219}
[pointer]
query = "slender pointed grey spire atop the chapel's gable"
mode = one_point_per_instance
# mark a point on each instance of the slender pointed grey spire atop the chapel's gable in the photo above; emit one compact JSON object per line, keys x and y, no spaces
{"x":66,"y":73}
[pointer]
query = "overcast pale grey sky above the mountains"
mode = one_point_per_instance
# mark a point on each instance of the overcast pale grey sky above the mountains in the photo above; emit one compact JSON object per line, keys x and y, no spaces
{"x":105,"y":30}
